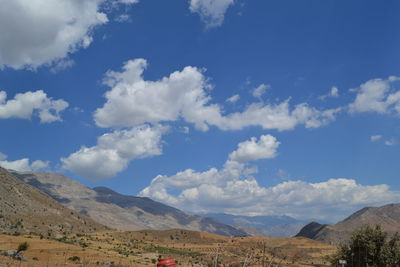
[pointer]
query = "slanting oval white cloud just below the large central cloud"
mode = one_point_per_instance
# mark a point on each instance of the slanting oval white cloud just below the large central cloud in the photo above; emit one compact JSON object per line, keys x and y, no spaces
{"x":114,"y":151}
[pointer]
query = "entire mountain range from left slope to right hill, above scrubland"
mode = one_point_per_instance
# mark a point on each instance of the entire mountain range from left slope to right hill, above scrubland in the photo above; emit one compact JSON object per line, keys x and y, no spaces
{"x":53,"y":203}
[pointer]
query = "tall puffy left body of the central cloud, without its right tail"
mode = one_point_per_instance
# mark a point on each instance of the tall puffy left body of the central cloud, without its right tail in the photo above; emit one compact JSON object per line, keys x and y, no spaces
{"x":133,"y":101}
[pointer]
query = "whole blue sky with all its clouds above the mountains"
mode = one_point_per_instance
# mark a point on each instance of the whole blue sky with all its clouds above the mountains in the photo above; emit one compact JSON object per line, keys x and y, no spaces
{"x":244,"y":107}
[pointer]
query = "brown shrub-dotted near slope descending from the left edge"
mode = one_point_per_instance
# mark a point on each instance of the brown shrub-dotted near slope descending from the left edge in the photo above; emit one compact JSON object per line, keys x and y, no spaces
{"x":24,"y":209}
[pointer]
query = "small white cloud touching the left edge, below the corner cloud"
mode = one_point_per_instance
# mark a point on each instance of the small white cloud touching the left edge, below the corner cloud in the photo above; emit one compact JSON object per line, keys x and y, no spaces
{"x":25,"y":105}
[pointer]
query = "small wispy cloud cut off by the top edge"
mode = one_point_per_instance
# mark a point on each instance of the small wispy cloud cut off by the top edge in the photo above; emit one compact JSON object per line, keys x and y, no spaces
{"x":211,"y":12}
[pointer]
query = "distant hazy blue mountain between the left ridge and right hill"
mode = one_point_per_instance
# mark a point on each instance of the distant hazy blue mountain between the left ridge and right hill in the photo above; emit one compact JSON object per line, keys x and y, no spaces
{"x":274,"y":226}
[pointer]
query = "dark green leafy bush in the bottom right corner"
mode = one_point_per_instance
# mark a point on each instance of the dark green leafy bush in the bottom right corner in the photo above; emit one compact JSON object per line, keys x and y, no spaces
{"x":369,"y":246}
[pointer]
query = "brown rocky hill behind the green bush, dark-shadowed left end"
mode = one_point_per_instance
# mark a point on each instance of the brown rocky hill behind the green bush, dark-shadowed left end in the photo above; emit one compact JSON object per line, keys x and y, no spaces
{"x":388,"y":217}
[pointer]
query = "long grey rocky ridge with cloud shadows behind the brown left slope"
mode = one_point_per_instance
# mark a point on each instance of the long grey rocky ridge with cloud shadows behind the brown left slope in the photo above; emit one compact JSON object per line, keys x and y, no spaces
{"x":118,"y":211}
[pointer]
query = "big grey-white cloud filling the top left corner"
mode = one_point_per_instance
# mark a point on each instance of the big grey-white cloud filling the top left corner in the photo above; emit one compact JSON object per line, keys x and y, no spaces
{"x":42,"y":32}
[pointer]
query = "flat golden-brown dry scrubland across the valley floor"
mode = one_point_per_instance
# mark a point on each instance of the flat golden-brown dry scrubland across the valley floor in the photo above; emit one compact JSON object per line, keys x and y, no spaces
{"x":142,"y":248}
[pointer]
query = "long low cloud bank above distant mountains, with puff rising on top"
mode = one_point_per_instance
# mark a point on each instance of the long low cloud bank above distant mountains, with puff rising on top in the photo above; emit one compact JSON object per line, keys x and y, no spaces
{"x":233,"y":190}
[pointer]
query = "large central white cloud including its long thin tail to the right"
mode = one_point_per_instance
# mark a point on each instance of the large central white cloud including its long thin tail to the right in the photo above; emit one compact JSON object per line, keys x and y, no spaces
{"x":185,"y":95}
